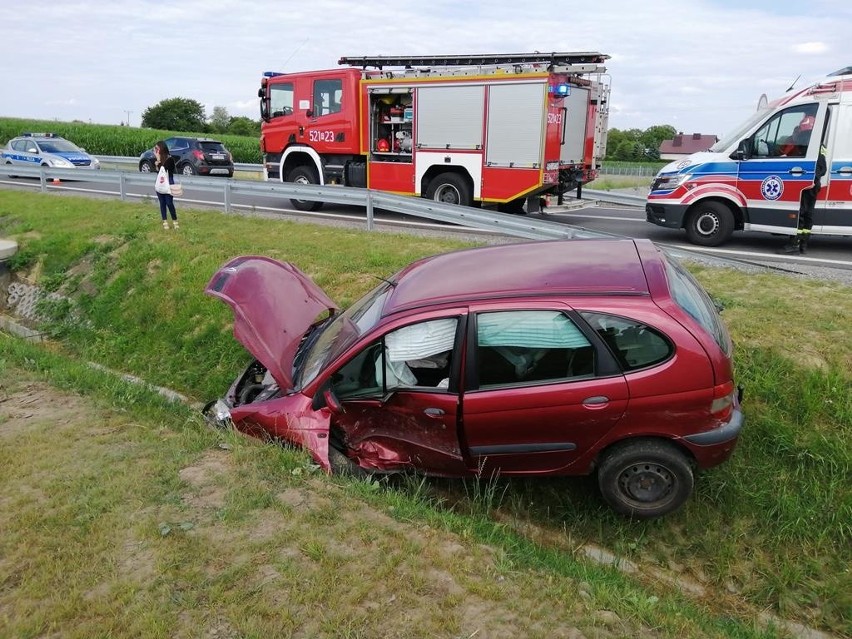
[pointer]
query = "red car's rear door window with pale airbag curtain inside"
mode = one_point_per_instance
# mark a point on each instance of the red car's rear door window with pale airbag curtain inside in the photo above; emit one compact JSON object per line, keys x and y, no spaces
{"x":530,"y":346}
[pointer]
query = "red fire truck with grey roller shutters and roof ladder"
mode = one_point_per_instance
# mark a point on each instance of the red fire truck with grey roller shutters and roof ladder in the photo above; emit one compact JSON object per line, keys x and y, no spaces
{"x":500,"y":130}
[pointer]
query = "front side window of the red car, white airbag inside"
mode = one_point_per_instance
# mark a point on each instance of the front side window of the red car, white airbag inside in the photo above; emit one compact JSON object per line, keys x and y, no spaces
{"x":416,"y":356}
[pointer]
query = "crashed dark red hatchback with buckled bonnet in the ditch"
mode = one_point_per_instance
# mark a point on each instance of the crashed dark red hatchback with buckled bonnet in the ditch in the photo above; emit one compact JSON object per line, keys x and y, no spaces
{"x":539,"y":358}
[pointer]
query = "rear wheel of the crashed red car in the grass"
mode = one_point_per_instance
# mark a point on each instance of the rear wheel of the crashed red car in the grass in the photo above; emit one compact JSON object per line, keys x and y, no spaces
{"x":645,"y":478}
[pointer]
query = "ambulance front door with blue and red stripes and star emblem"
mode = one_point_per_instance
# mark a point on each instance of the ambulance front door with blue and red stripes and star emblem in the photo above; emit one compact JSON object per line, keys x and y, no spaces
{"x":781,"y":165}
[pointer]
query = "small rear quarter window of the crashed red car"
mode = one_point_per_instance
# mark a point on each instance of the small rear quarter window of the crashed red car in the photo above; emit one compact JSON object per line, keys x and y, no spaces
{"x":634,"y":344}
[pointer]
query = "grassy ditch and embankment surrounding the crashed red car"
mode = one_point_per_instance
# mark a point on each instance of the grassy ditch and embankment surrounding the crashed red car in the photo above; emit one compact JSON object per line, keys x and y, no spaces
{"x":140,"y":516}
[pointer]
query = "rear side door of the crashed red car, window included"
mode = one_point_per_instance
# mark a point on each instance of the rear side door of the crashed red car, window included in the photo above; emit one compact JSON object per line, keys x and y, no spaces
{"x":541,"y":390}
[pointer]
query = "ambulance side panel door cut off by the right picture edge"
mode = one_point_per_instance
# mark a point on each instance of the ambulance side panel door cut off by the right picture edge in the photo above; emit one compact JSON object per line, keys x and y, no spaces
{"x":833,"y":212}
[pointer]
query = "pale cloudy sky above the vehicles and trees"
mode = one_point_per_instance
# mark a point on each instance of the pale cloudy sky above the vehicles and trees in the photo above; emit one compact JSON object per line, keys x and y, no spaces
{"x":699,"y":66}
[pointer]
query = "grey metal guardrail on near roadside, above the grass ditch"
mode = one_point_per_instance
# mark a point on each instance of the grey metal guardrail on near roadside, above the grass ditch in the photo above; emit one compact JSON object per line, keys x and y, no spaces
{"x":468,"y":217}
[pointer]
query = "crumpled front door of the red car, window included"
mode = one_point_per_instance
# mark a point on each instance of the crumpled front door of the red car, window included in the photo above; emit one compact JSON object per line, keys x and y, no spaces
{"x":399,"y":398}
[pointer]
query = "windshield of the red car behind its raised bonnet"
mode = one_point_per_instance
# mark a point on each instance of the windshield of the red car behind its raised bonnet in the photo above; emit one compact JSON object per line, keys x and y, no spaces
{"x":338,"y":335}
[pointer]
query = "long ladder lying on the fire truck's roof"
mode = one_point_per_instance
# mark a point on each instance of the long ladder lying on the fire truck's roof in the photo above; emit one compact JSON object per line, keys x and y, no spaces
{"x":577,"y":62}
